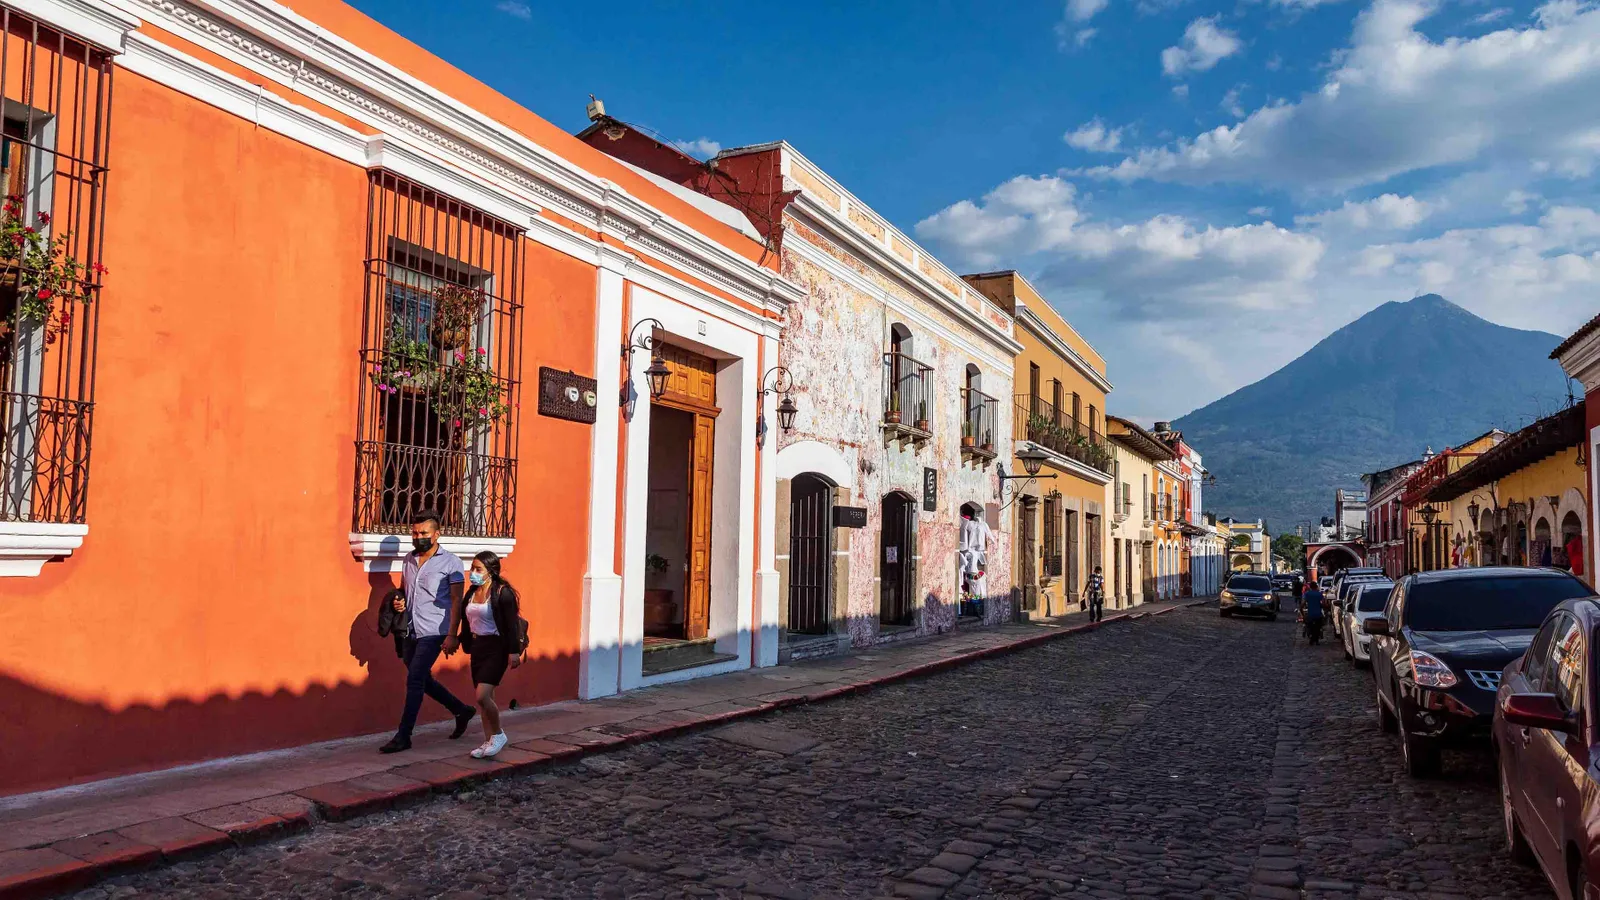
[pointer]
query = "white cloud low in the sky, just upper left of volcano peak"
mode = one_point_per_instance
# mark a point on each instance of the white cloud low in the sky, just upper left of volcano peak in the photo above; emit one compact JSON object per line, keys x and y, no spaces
{"x":1164,"y":265}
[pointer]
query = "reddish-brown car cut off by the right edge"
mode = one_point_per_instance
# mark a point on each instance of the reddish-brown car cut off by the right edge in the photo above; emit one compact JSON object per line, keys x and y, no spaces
{"x":1548,"y":742}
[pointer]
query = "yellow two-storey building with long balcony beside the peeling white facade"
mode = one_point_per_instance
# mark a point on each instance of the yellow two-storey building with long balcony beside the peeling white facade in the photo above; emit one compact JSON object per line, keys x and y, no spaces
{"x":1063,"y":526}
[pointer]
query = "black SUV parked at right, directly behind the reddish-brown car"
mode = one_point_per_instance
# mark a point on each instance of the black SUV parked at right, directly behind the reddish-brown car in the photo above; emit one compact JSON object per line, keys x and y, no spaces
{"x":1442,"y":645}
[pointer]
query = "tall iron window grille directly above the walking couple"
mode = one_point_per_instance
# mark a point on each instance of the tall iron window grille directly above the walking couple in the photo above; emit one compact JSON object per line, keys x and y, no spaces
{"x":441,"y":355}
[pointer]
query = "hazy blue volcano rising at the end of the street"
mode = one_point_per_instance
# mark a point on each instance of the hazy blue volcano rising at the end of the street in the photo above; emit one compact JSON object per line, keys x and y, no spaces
{"x":1369,"y":396}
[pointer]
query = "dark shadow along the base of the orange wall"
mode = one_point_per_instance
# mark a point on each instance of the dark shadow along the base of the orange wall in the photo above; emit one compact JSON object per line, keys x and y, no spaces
{"x":54,"y":741}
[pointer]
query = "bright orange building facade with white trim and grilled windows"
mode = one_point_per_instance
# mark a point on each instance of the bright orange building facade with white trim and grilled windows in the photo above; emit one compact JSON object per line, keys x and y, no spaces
{"x":327,"y":281}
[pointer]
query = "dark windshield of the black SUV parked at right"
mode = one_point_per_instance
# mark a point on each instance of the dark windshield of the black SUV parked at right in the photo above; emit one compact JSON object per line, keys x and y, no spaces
{"x":1489,"y":605}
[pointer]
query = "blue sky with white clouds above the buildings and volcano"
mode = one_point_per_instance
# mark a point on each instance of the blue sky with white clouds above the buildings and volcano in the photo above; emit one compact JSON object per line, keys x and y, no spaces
{"x":1204,"y":190}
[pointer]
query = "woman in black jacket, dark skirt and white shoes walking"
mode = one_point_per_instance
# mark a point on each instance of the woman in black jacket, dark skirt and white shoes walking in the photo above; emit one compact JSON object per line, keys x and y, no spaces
{"x":495,"y":637}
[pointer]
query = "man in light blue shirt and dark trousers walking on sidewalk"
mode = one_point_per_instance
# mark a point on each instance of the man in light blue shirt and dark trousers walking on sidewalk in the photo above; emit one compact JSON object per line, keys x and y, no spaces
{"x":433,"y":579}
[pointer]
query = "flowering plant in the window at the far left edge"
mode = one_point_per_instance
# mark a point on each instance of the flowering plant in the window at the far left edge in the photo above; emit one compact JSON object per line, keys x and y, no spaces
{"x":46,"y":276}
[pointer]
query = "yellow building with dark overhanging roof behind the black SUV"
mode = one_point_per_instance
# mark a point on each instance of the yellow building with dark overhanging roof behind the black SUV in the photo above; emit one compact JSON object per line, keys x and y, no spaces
{"x":1519,"y":504}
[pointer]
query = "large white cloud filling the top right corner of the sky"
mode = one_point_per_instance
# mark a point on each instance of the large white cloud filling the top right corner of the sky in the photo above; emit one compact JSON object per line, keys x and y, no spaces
{"x":1398,"y":102}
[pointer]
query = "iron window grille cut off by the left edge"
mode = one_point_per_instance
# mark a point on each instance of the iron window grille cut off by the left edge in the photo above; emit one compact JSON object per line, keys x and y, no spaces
{"x":54,"y":151}
